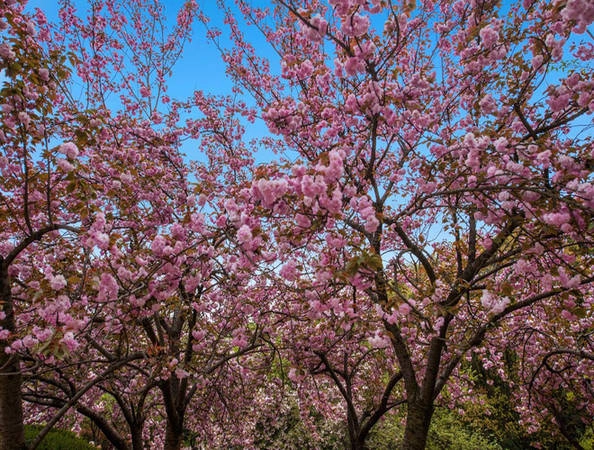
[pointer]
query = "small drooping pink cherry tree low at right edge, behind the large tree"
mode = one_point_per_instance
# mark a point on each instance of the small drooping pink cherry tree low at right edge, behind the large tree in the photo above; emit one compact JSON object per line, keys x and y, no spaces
{"x":552,"y":379}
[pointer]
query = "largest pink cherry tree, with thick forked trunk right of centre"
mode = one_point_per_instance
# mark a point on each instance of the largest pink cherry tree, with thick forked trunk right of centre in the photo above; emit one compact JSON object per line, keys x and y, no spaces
{"x":443,"y":151}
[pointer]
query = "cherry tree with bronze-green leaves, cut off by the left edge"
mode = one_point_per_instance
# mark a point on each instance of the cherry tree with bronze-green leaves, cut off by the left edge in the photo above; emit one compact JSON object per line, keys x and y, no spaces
{"x":42,"y":203}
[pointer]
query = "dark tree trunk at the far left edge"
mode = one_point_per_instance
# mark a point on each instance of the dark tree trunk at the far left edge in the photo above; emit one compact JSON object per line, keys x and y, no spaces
{"x":11,"y":404}
